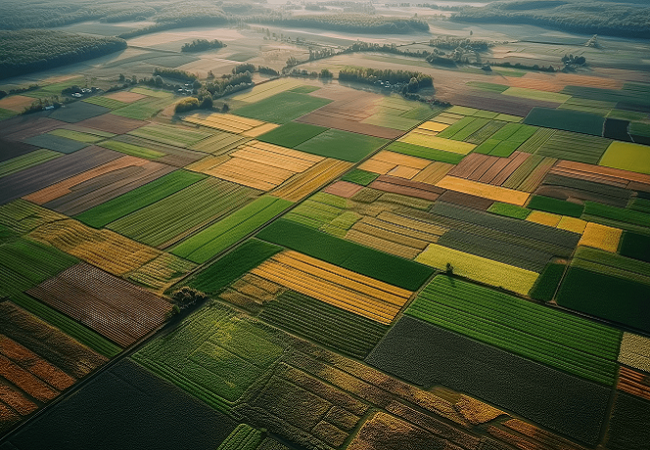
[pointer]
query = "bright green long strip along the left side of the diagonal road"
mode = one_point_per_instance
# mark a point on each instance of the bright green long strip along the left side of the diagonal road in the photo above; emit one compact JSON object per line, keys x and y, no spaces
{"x":226,"y":232}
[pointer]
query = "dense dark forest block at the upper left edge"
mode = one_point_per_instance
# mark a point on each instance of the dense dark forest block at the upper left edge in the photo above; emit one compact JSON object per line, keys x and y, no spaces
{"x":28,"y":51}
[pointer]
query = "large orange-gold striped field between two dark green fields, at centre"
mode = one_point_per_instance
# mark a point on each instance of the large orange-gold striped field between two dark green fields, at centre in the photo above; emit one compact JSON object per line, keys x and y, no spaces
{"x":339,"y":287}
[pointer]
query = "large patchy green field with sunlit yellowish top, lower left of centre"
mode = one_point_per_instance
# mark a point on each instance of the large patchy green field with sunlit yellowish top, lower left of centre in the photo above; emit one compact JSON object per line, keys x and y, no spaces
{"x":214,"y":355}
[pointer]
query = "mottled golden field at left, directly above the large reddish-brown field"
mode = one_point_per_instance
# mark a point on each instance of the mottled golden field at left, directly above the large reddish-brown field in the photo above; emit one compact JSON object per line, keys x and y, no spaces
{"x":102,"y":248}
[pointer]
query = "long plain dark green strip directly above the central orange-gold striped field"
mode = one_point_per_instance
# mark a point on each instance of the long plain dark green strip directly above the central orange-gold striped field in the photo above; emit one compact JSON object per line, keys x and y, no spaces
{"x":357,"y":258}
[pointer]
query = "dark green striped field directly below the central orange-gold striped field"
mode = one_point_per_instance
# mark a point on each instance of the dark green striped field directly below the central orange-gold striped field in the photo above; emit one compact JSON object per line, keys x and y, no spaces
{"x":323,"y":323}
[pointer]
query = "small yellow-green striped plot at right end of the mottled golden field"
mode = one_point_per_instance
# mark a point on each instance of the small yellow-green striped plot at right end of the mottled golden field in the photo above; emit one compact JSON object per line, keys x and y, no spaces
{"x":161,"y":273}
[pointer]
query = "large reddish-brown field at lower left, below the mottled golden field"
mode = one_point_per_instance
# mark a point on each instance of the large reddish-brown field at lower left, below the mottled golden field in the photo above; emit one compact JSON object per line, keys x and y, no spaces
{"x":109,"y":305}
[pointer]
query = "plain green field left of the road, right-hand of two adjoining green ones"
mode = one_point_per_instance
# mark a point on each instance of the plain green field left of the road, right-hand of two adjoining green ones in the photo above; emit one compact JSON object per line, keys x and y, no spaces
{"x":341,"y":145}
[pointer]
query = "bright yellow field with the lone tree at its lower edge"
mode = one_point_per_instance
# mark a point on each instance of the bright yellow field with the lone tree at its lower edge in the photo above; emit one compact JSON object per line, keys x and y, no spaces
{"x":479,"y":269}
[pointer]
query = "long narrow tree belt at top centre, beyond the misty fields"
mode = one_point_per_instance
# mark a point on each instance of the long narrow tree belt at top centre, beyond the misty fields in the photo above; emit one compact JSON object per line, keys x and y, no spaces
{"x":357,"y":23}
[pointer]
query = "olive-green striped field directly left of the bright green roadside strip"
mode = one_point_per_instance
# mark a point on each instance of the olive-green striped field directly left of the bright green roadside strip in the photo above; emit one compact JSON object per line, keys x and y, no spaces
{"x":168,"y":220}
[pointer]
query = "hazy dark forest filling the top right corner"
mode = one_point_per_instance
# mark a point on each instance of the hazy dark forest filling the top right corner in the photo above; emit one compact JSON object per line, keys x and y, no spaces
{"x":581,"y":16}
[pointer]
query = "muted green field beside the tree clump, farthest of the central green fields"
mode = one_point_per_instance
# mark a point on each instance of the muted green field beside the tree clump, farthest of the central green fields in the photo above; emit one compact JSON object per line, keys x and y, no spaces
{"x":282,"y":108}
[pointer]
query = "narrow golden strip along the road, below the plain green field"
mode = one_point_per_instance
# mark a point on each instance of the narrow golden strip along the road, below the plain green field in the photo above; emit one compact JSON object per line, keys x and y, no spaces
{"x":303,"y":184}
